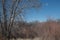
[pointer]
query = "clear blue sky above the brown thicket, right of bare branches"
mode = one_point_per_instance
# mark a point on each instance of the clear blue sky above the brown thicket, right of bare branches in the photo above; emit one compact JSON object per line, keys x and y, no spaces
{"x":50,"y":8}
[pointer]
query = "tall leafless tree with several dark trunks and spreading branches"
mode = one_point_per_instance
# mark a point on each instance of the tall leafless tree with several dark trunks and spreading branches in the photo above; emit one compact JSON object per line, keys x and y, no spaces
{"x":13,"y":9}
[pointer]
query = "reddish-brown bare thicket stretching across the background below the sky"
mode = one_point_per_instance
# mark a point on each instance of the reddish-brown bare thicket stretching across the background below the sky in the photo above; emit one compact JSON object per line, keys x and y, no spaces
{"x":49,"y":30}
